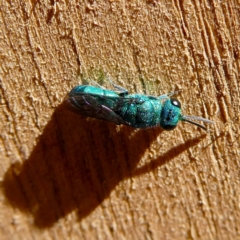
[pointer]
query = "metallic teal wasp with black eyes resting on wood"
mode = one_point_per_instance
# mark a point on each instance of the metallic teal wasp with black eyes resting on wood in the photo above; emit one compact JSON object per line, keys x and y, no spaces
{"x":135,"y":110}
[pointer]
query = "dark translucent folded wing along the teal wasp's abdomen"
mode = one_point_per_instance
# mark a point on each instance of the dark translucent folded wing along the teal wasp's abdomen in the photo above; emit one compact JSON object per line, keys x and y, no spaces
{"x":88,"y":105}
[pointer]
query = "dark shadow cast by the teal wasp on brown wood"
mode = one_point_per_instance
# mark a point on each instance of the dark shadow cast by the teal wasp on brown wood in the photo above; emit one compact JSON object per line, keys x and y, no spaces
{"x":76,"y":164}
